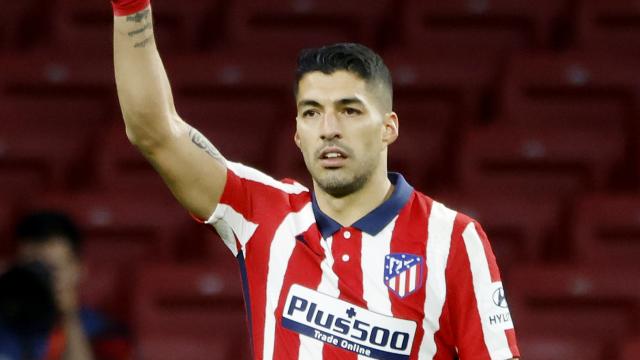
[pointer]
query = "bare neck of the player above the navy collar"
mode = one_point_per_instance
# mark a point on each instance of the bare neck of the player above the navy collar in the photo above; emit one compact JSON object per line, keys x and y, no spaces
{"x":349,"y":209}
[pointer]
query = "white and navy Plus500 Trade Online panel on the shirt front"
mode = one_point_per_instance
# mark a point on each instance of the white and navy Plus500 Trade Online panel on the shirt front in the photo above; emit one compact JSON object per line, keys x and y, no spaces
{"x":346,"y":326}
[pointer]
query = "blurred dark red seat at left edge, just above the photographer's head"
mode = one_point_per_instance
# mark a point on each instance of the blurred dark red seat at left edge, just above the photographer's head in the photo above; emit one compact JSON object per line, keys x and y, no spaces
{"x":43,"y":141}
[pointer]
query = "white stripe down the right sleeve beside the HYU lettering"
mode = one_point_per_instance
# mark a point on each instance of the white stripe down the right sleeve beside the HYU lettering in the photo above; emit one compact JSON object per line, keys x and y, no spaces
{"x":494,"y":337}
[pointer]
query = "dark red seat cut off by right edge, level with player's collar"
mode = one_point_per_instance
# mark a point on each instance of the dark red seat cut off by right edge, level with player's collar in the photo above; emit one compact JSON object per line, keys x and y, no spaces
{"x":607,"y":229}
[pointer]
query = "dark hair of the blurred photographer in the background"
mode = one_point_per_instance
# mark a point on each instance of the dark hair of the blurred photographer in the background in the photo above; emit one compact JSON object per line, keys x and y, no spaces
{"x":40,"y":226}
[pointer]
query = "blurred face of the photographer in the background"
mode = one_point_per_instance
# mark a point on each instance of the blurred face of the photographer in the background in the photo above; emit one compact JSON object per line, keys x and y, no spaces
{"x":61,"y":260}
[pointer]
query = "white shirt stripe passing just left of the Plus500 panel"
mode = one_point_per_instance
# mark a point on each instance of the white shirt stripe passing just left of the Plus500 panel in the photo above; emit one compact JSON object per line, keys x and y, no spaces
{"x":280,"y":251}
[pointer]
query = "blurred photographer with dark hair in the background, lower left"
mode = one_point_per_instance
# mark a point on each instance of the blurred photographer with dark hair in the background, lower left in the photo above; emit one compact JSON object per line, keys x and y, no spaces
{"x":52,"y":239}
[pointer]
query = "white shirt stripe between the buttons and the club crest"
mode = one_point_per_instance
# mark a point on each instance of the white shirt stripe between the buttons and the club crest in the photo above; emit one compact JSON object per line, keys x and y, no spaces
{"x":372,"y":253}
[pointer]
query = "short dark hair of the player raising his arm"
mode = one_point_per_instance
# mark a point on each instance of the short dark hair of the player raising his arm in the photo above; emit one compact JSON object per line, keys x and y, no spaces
{"x":354,"y":58}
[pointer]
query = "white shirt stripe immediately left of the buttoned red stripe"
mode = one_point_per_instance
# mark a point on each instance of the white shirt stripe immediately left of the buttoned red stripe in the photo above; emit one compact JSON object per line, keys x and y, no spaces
{"x":311,"y":349}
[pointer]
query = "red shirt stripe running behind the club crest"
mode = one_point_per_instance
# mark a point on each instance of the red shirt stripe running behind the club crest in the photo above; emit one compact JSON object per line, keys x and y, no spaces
{"x":410,"y":236}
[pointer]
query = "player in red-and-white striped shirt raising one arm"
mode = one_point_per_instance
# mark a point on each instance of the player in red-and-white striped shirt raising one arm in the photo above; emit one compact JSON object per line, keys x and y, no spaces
{"x":363,"y":267}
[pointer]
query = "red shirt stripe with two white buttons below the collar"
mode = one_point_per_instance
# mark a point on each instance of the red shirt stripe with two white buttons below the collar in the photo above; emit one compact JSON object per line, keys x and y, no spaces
{"x":349,"y":272}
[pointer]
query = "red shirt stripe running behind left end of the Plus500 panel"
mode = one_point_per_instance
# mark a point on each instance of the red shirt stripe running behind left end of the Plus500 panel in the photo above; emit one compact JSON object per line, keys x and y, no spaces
{"x":303,"y":269}
